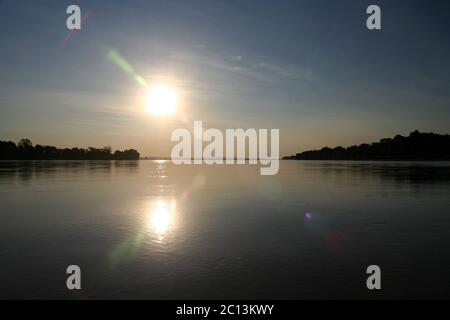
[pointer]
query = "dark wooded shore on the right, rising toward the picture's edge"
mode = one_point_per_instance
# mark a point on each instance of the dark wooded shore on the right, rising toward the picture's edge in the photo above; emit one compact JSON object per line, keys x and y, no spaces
{"x":416,"y":146}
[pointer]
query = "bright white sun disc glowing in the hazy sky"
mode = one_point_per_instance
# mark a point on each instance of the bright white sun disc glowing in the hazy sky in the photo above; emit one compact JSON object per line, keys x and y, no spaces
{"x":161,"y":100}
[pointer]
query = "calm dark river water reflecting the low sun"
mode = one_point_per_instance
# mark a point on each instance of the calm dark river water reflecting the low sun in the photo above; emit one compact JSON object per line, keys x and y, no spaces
{"x":149,"y":229}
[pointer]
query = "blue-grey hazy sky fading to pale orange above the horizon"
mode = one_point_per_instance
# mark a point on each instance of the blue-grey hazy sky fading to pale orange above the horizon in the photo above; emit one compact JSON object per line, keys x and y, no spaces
{"x":308,"y":68}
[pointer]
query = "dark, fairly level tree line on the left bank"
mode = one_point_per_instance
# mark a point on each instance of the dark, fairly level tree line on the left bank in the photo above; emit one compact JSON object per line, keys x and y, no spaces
{"x":24,"y":150}
